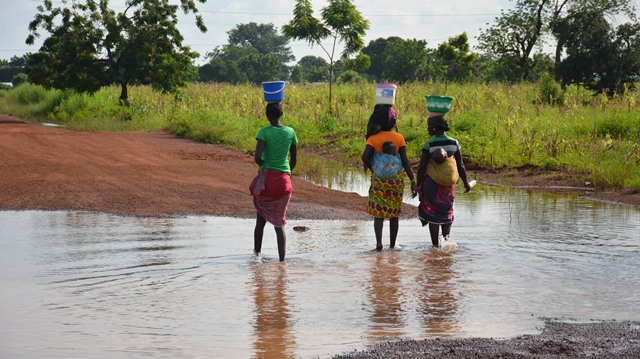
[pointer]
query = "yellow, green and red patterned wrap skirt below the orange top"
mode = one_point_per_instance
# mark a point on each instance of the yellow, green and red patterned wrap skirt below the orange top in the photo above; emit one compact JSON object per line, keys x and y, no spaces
{"x":385,"y":196}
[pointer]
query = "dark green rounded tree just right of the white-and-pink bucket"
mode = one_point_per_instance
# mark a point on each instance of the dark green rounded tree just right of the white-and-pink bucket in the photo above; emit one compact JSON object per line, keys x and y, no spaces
{"x":404,"y":60}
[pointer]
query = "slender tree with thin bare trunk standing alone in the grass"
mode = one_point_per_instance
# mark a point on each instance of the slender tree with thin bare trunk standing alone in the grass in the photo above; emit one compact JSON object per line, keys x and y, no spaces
{"x":341,"y":22}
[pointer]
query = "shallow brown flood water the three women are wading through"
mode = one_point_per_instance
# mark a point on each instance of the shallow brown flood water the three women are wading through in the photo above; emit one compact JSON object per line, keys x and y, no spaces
{"x":87,"y":285}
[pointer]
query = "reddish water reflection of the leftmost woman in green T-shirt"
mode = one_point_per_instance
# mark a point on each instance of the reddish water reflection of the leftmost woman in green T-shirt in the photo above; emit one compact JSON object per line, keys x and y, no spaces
{"x":273,"y":329}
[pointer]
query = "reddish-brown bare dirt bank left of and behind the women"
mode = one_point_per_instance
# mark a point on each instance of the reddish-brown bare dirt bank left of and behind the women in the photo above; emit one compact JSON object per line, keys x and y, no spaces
{"x":143,"y":174}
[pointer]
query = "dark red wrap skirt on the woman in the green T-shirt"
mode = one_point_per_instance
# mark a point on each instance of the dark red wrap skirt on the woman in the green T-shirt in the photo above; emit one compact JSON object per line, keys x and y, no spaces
{"x":271,"y":192}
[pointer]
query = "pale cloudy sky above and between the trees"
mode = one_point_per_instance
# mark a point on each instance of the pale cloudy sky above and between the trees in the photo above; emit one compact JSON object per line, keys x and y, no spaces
{"x":430,"y":20}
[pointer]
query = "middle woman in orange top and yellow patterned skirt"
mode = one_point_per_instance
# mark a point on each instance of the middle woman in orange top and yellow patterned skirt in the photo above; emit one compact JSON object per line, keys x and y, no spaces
{"x":385,"y":194}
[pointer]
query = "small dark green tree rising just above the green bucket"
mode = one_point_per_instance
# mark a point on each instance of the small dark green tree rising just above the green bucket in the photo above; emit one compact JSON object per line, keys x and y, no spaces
{"x":455,"y":56}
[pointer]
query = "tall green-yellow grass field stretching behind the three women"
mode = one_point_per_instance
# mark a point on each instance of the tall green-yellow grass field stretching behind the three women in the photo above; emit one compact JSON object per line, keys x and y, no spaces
{"x":499,"y":125}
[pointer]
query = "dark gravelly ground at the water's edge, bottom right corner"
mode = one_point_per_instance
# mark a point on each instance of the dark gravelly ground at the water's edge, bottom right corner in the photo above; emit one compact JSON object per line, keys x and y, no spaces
{"x":558,"y":339}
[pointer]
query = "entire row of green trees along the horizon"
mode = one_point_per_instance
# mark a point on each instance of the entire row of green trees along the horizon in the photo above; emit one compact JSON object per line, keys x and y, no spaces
{"x":595,"y":44}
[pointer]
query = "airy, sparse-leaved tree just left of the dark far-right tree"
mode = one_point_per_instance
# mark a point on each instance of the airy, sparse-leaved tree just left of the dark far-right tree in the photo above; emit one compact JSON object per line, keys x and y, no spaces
{"x":516,"y":32}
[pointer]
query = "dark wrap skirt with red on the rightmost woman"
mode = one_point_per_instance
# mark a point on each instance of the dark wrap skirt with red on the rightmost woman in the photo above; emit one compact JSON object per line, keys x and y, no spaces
{"x":436,"y":202}
